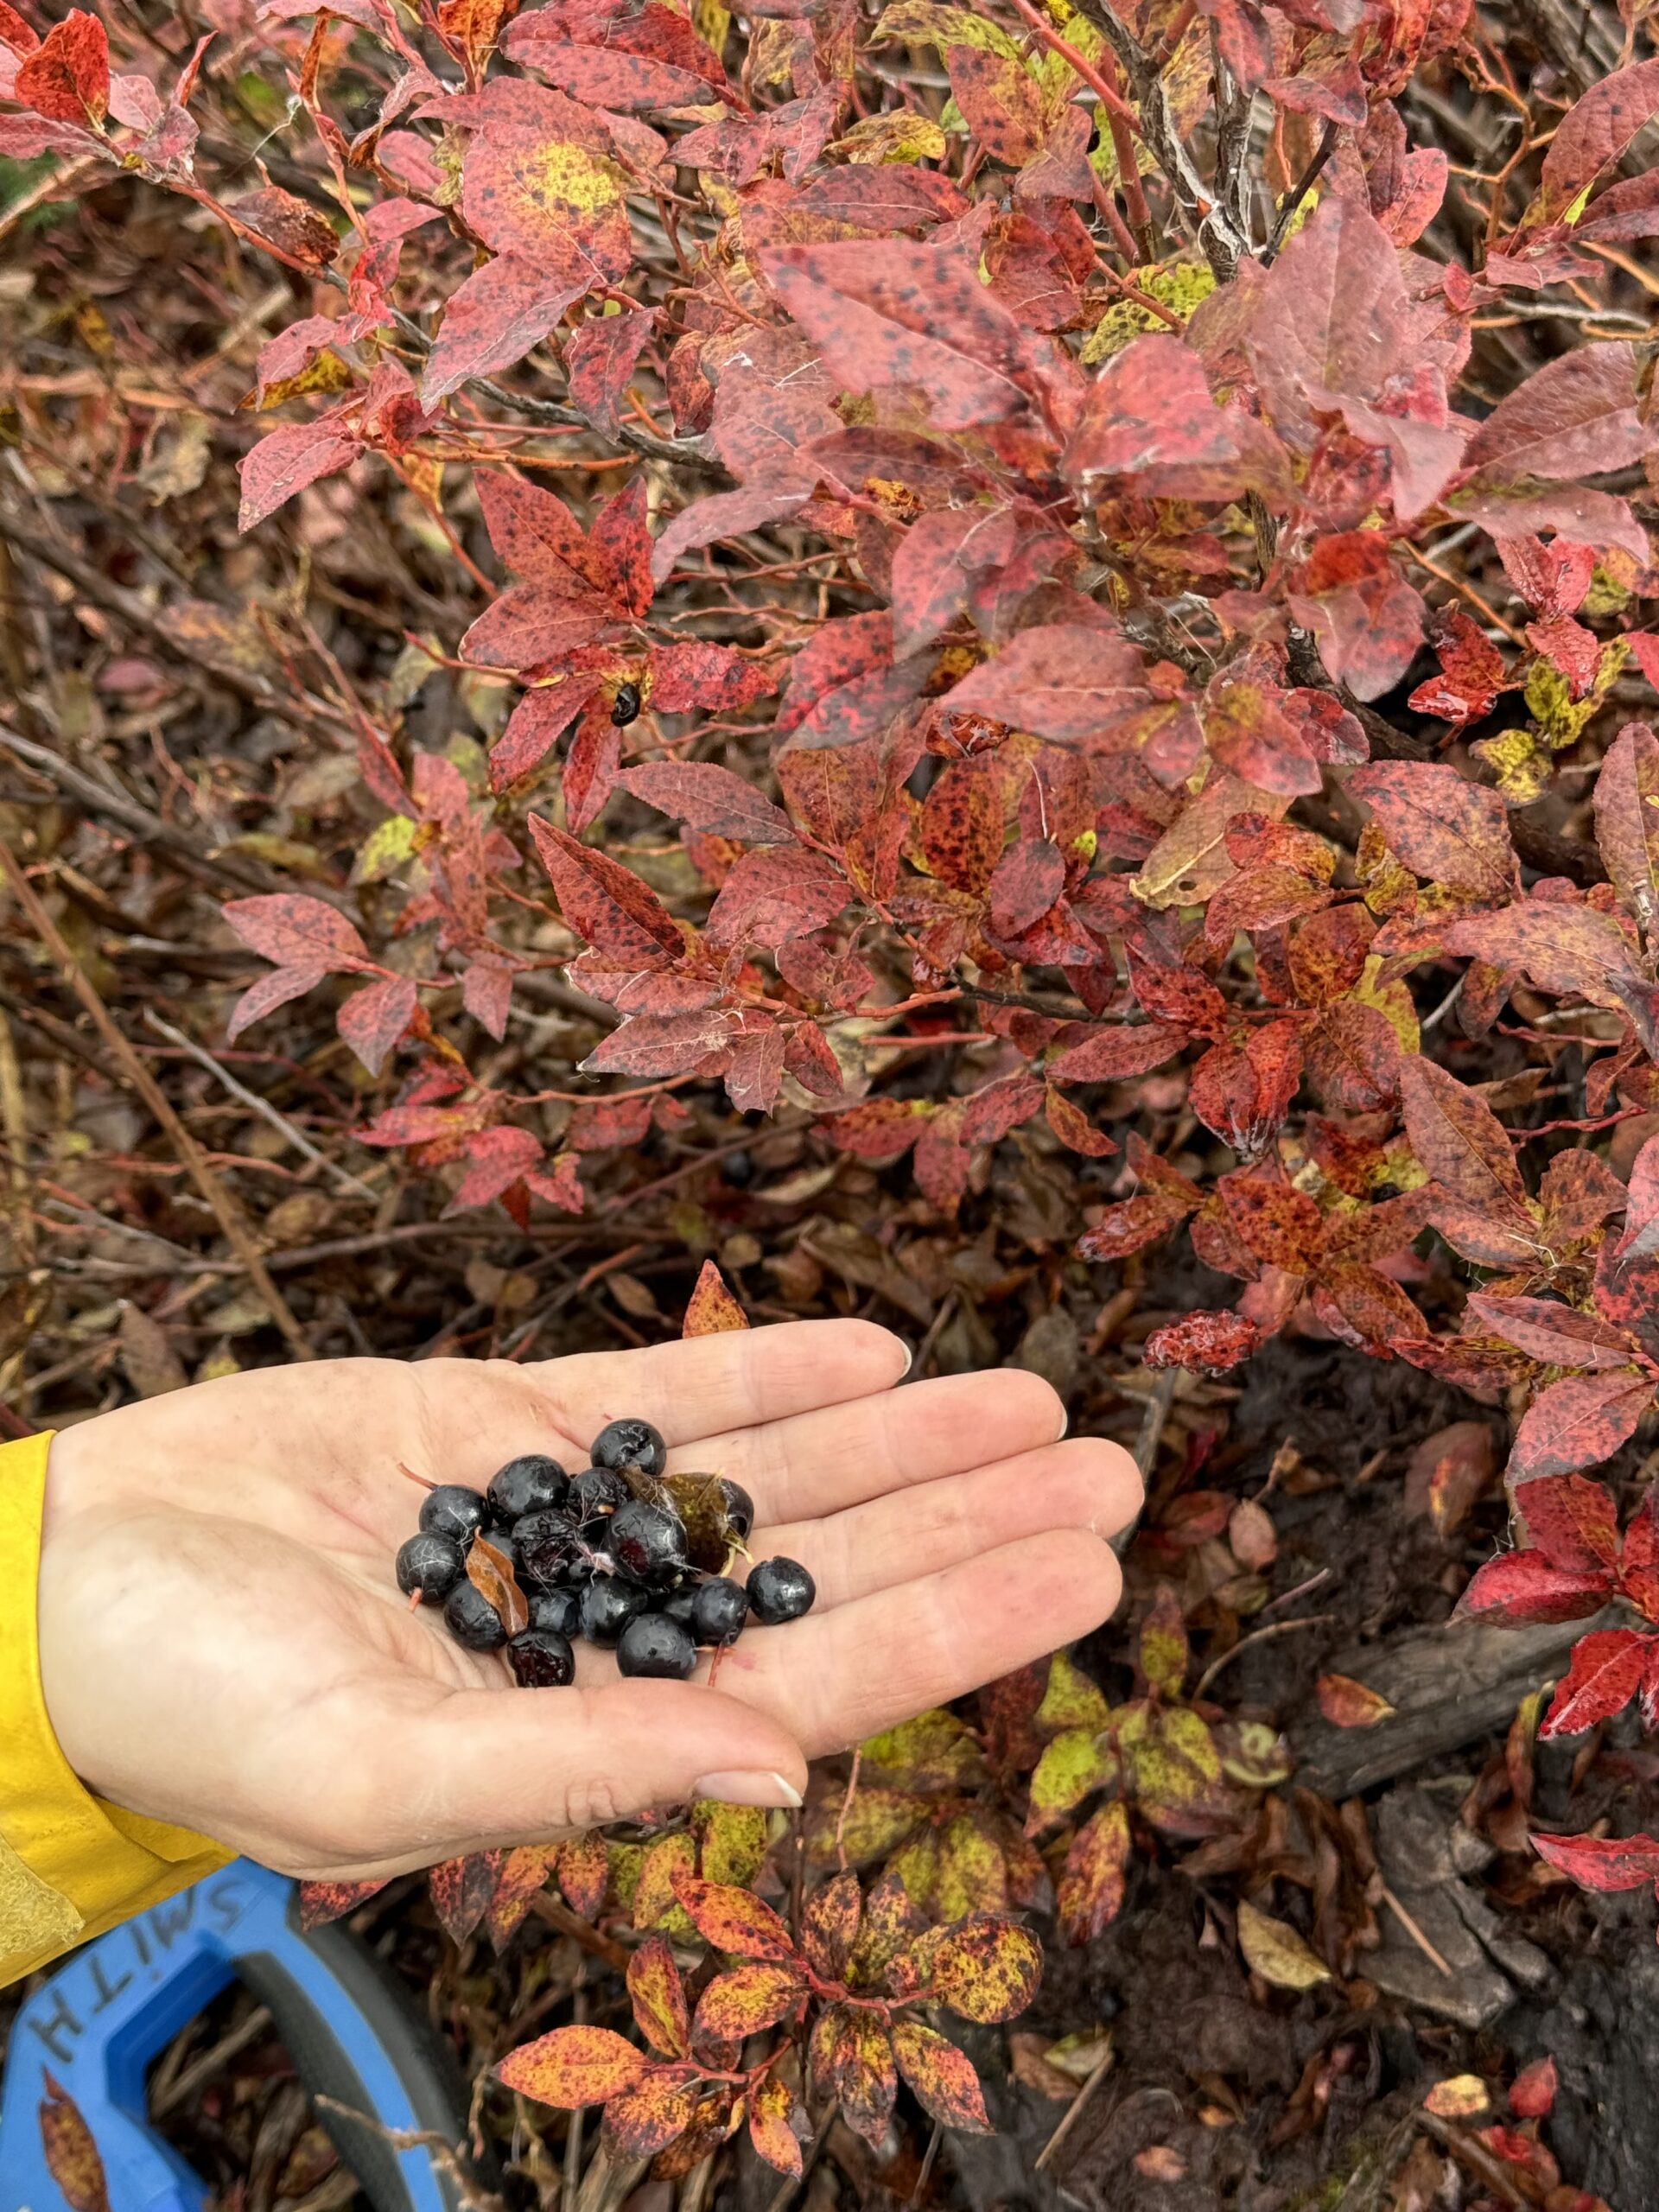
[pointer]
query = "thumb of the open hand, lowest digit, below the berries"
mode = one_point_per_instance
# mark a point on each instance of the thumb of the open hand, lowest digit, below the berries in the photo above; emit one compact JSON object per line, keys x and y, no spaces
{"x":539,"y":1764}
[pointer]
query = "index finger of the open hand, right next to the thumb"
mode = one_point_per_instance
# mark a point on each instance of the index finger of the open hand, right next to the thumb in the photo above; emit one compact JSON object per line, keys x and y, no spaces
{"x":837,"y":1678}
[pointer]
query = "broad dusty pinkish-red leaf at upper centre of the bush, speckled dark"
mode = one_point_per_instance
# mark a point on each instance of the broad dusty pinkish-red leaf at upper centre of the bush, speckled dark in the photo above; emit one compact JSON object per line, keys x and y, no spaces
{"x":912,"y":317}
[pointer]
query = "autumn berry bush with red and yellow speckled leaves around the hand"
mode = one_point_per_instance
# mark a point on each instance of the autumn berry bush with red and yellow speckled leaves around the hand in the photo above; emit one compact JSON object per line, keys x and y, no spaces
{"x":1050,"y":603}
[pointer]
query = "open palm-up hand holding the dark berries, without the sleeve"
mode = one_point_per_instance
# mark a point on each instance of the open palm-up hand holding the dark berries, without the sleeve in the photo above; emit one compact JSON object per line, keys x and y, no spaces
{"x":225,"y":1645}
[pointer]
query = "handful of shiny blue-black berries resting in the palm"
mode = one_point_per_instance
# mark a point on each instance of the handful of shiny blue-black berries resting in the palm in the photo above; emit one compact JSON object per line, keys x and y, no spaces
{"x":623,"y":1554}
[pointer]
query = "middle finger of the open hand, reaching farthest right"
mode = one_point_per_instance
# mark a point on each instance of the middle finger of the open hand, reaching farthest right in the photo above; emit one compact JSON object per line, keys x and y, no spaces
{"x":1083,"y":1483}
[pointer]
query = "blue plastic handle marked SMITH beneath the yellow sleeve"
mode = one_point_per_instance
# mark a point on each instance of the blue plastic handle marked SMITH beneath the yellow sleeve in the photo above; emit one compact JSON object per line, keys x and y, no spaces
{"x":116,"y":2005}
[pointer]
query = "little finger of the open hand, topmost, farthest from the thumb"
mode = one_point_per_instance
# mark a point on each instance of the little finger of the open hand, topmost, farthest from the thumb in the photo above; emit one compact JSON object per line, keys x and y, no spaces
{"x":483,"y":1412}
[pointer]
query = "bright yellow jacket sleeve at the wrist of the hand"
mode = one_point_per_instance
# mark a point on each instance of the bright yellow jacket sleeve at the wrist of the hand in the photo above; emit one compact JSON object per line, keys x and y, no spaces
{"x":70,"y":1864}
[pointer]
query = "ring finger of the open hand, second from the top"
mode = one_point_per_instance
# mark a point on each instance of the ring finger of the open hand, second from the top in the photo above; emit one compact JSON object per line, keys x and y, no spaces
{"x":817,"y":1463}
